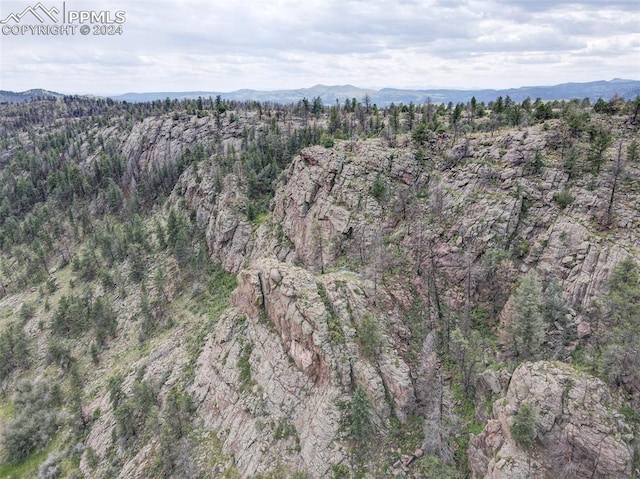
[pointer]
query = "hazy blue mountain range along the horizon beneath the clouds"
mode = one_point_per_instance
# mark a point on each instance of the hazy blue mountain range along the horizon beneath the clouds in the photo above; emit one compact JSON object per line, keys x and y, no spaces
{"x":329,"y":94}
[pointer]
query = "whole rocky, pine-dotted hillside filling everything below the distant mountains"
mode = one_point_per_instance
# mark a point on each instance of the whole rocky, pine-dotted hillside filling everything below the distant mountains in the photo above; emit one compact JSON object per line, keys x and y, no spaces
{"x":206,"y":288}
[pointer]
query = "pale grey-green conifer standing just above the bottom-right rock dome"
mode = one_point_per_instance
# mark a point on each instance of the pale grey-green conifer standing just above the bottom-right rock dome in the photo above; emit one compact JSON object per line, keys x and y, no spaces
{"x":528,"y":327}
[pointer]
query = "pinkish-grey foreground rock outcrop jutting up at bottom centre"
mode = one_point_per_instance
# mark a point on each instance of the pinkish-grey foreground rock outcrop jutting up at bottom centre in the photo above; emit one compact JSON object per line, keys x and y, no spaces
{"x":288,"y":354}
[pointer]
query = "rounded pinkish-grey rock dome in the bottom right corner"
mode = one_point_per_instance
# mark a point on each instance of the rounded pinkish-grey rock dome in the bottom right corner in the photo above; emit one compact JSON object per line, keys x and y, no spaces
{"x":580,"y":433}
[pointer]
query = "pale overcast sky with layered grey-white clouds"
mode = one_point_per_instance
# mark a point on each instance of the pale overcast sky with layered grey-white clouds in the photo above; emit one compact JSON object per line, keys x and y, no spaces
{"x":200,"y":45}
